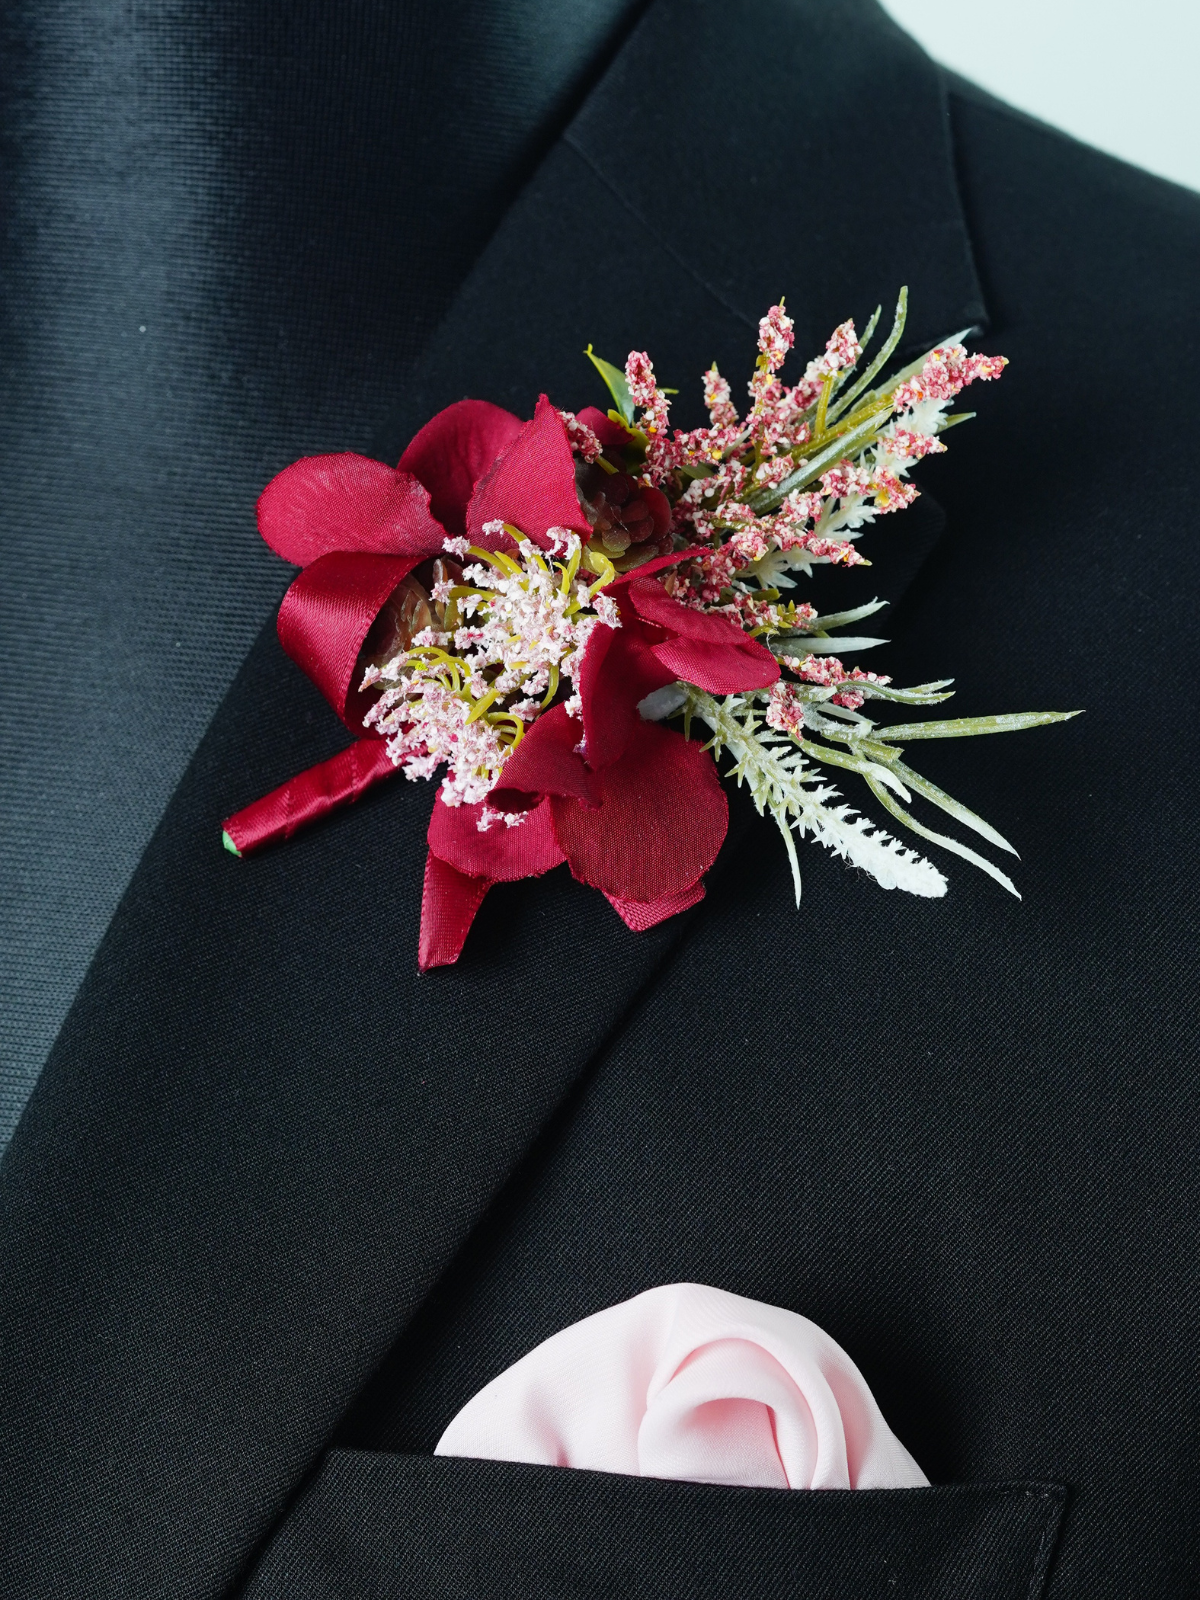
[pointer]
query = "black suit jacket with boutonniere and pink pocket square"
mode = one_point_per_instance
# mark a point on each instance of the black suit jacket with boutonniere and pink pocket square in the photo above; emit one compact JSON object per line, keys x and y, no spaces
{"x":278,"y":1206}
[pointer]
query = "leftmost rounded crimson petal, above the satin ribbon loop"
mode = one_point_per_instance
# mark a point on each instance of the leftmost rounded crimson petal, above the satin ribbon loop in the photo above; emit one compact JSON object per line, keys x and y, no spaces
{"x":346,"y":503}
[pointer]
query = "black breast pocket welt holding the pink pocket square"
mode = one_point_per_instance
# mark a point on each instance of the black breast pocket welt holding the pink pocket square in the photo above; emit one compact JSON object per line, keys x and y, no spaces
{"x":425,"y":1527}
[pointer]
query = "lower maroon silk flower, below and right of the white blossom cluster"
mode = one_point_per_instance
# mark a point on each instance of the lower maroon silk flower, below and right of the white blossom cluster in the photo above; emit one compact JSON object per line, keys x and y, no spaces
{"x":633,"y":807}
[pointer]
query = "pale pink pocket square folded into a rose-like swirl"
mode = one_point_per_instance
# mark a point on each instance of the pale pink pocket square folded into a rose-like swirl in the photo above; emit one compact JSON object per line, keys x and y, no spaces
{"x":690,"y":1383}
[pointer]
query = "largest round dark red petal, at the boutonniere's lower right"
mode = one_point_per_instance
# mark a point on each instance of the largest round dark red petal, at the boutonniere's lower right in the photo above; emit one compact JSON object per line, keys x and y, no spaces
{"x":660,"y":825}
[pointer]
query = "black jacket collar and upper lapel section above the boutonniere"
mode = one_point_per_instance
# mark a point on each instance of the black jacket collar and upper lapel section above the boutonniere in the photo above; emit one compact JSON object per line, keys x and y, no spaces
{"x":732,"y":154}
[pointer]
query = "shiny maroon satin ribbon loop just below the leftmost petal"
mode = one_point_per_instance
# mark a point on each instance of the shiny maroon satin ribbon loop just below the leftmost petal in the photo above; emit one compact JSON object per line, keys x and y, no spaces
{"x":326,"y":617}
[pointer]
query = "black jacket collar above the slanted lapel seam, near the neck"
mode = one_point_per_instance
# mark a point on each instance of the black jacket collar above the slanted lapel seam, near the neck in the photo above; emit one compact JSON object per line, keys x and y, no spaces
{"x":798,"y":150}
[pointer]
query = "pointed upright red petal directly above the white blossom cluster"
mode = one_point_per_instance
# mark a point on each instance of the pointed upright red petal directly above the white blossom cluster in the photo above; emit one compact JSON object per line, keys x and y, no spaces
{"x":534,"y":484}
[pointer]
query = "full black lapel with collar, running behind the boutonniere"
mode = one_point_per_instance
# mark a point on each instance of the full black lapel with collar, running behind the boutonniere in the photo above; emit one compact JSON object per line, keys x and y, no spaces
{"x":262,"y":1137}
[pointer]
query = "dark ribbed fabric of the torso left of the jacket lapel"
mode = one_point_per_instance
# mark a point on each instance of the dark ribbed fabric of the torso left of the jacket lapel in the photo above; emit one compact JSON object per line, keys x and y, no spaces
{"x":228,"y":231}
